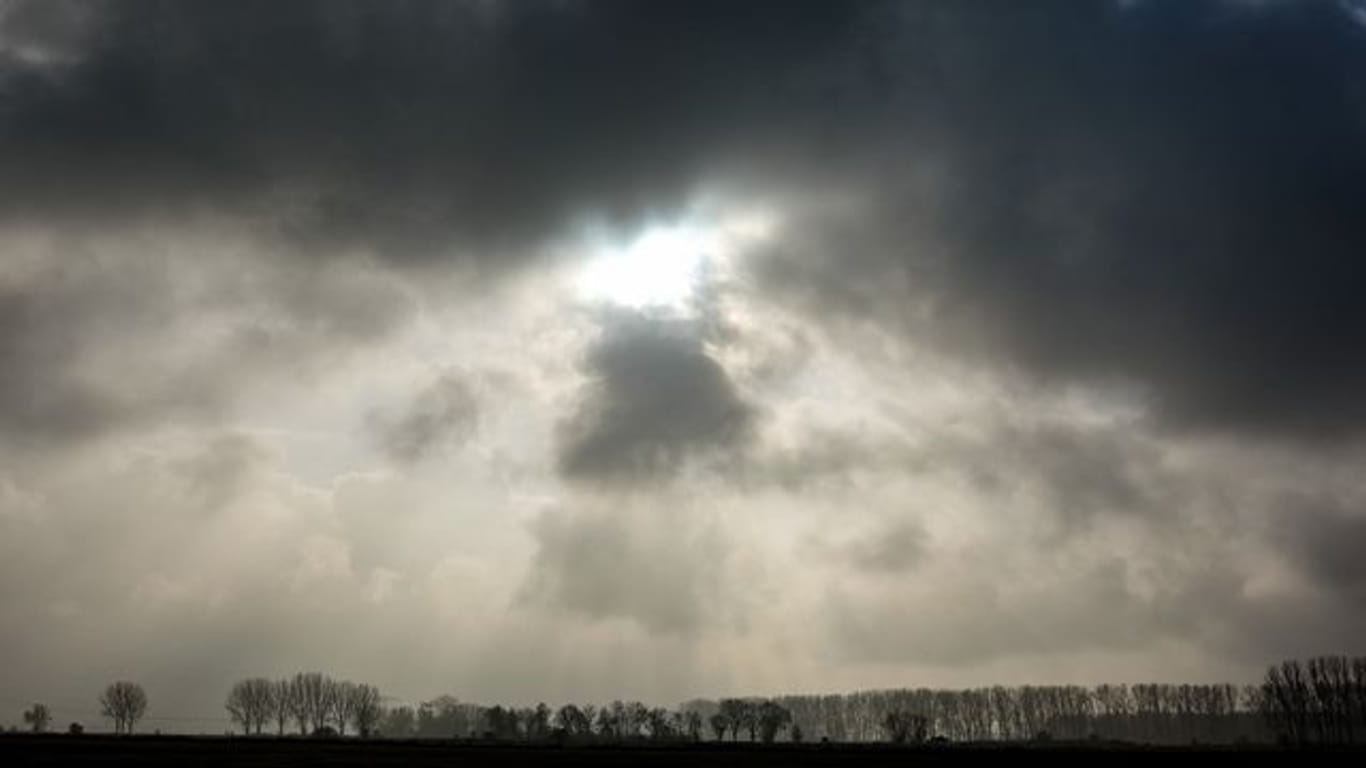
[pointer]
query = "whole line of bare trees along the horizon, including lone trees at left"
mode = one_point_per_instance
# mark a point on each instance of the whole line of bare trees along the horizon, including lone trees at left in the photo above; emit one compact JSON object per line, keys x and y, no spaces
{"x":1322,"y":700}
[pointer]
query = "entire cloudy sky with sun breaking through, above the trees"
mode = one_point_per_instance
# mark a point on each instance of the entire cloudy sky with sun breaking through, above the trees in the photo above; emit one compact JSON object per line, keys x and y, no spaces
{"x":585,"y":351}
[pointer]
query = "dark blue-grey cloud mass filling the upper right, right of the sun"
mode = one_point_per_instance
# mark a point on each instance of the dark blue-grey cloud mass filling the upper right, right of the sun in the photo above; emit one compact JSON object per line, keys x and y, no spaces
{"x":1165,"y":197}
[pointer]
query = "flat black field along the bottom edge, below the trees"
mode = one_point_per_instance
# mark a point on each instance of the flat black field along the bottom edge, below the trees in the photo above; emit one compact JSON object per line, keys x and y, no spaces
{"x":212,"y":751}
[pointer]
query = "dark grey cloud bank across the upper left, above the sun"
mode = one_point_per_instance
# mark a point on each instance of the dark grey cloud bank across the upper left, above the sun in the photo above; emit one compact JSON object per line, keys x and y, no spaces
{"x":415,"y":129}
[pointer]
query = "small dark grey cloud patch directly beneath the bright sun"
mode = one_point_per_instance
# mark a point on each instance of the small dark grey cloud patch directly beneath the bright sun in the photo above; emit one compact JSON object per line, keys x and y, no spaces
{"x":655,"y":398}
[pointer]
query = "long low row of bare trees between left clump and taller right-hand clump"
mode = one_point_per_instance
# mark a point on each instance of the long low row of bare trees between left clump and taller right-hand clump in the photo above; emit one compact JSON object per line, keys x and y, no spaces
{"x":1147,"y":713}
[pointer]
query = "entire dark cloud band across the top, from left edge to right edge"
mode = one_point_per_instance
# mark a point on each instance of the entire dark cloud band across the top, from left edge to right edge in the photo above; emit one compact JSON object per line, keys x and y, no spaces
{"x":1159,"y":195}
